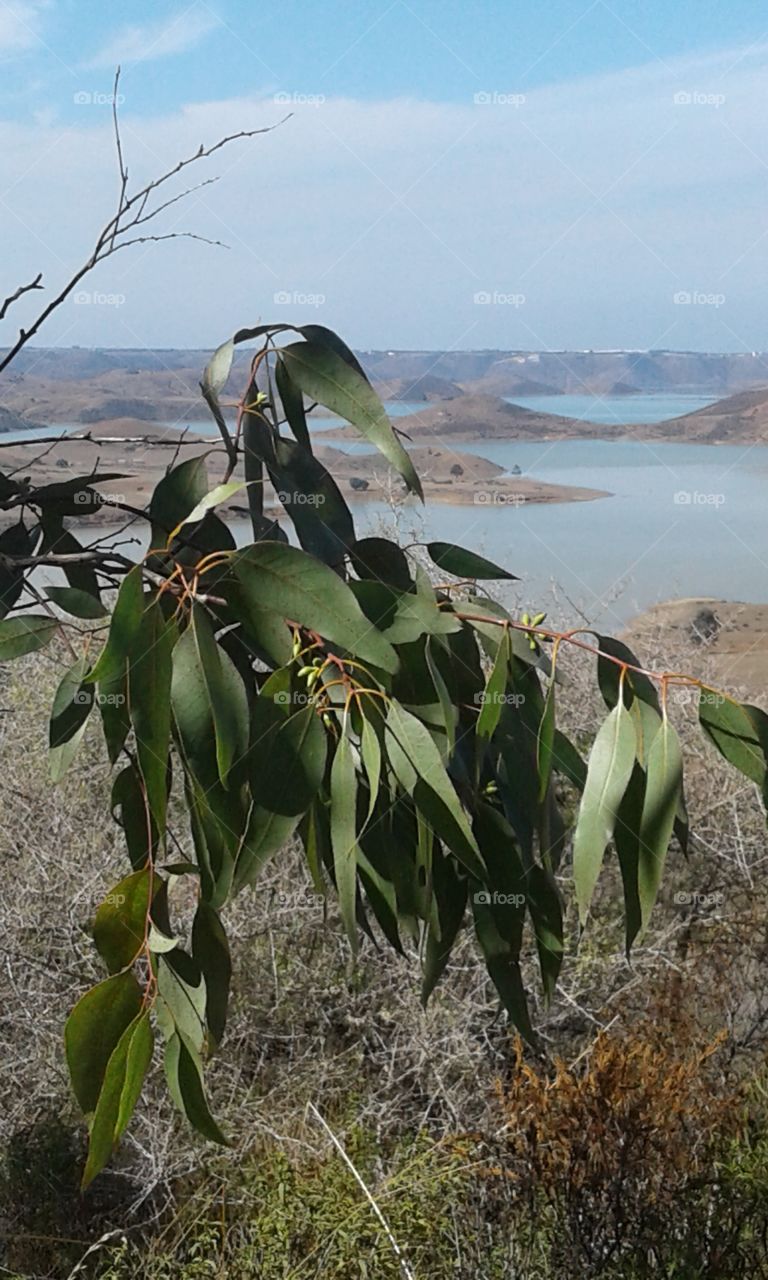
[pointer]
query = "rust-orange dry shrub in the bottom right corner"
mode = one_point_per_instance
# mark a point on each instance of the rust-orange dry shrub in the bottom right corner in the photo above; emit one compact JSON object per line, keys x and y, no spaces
{"x":634,"y":1154}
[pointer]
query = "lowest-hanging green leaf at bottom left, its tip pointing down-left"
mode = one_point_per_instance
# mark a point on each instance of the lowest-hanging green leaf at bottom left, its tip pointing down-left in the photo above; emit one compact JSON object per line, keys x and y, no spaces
{"x":122,"y":1086}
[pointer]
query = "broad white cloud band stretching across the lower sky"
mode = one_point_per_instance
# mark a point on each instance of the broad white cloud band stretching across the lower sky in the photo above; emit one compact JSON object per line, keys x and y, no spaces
{"x":598,"y":200}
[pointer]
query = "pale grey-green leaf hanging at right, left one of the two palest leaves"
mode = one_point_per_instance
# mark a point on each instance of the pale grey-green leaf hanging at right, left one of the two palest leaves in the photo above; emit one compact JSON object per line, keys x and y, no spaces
{"x":610,"y":769}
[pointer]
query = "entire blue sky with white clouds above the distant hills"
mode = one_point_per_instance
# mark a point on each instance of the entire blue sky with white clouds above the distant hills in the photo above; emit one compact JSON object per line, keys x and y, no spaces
{"x":497,"y":175}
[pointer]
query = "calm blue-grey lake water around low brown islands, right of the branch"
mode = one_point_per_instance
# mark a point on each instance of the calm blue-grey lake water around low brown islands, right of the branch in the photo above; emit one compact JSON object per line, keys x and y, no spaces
{"x":683,"y":519}
